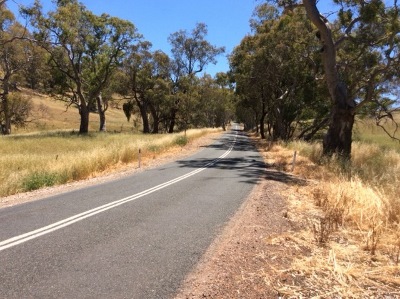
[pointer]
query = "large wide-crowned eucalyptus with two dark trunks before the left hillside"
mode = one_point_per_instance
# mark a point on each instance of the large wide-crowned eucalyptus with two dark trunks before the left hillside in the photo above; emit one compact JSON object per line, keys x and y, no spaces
{"x":84,"y":49}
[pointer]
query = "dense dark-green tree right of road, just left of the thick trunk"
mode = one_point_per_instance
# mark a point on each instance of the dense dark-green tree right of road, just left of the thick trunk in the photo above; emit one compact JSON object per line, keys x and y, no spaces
{"x":271,"y":70}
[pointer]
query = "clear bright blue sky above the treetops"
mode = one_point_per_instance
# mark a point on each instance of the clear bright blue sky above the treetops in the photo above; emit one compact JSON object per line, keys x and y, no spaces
{"x":227,"y":20}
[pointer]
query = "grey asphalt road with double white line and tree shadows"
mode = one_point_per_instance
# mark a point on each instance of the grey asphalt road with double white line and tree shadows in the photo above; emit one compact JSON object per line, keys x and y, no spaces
{"x":137,"y":237}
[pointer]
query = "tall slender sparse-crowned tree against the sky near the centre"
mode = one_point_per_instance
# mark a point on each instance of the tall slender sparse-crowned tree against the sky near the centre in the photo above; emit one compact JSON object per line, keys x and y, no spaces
{"x":191,"y":53}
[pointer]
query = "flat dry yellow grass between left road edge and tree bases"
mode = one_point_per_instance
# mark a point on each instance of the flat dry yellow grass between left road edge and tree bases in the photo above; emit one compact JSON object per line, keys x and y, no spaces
{"x":33,"y":161}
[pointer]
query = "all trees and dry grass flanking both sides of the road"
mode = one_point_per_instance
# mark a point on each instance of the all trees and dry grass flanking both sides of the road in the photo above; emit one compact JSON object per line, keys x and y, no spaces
{"x":318,"y":83}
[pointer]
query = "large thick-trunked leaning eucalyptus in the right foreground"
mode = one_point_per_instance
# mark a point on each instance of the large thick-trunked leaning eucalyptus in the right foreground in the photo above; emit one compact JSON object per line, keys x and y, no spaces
{"x":361,"y":57}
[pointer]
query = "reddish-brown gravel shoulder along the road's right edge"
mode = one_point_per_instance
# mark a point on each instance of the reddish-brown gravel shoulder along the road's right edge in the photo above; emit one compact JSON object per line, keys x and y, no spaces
{"x":240,"y":261}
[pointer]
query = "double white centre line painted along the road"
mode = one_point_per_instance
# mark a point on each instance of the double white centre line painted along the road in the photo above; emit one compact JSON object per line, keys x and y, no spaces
{"x":76,"y":218}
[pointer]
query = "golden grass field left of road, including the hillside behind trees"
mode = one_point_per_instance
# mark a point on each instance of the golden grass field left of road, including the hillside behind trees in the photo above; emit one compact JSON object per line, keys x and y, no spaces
{"x":49,"y":151}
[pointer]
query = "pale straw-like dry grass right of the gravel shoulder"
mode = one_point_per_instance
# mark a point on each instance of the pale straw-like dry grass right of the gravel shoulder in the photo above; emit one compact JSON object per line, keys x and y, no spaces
{"x":350,"y":222}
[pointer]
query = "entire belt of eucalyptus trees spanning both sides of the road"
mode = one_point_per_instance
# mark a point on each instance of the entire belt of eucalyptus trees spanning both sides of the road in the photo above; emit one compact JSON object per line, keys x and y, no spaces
{"x":298,"y":74}
